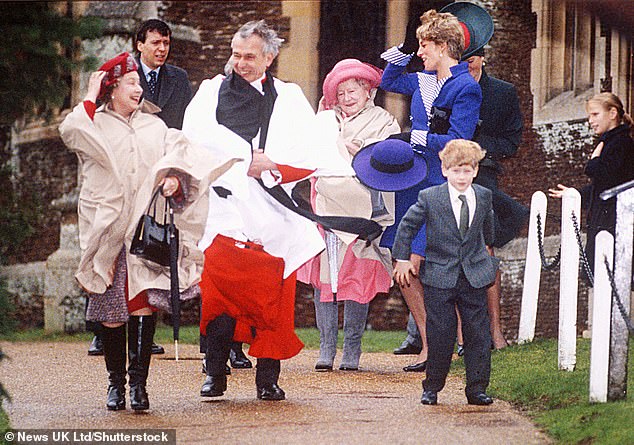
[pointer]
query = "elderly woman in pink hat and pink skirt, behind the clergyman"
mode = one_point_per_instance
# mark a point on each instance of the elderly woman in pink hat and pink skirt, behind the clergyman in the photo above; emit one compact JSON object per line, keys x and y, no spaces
{"x":350,"y":271}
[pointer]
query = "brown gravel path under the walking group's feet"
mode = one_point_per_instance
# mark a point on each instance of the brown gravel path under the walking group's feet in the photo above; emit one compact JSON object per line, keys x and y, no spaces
{"x":56,"y":385}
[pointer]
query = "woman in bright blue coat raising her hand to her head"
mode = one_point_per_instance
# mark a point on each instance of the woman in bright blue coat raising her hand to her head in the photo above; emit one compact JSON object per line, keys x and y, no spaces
{"x":445,"y":105}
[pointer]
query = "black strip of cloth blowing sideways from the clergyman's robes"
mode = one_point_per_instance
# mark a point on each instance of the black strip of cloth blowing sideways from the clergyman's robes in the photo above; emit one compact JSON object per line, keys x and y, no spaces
{"x":366,"y":229}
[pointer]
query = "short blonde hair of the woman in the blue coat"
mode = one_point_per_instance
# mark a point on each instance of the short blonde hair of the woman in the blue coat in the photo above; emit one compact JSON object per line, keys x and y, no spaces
{"x":442,"y":27}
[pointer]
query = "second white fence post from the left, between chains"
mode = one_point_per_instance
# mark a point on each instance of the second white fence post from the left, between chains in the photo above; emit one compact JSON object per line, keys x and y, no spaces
{"x":568,"y":280}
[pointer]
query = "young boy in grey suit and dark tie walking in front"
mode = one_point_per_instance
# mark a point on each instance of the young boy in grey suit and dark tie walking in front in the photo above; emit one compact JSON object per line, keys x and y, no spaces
{"x":457,"y":269}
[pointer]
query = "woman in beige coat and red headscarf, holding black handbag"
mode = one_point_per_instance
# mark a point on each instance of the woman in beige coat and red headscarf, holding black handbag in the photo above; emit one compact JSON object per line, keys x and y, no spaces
{"x":125,"y":152}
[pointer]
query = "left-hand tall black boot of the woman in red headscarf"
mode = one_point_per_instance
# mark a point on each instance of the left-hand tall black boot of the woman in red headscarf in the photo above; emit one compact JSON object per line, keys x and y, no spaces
{"x":114,"y":353}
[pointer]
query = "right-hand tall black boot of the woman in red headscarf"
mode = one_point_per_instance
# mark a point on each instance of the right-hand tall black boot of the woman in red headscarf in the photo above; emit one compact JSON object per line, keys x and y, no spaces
{"x":140,"y":337}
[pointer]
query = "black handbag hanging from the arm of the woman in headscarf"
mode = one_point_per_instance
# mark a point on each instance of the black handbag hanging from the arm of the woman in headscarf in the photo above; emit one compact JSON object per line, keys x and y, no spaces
{"x":152,"y":239}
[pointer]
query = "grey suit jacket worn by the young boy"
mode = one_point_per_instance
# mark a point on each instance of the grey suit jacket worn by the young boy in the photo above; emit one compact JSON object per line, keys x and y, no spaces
{"x":447,"y":252}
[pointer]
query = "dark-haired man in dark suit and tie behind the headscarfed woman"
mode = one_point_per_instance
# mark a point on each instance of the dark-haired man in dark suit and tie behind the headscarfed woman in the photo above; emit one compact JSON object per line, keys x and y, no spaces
{"x":163,"y":84}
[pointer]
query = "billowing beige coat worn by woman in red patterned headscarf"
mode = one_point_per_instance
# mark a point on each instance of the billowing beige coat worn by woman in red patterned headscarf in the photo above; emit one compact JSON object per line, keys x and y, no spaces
{"x":121,"y":162}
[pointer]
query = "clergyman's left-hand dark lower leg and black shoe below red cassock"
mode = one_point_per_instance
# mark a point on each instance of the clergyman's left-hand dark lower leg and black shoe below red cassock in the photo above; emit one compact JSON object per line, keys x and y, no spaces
{"x":218,"y":341}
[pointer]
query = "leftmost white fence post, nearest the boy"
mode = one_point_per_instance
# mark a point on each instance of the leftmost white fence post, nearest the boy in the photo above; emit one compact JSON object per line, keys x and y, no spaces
{"x":532,"y":270}
